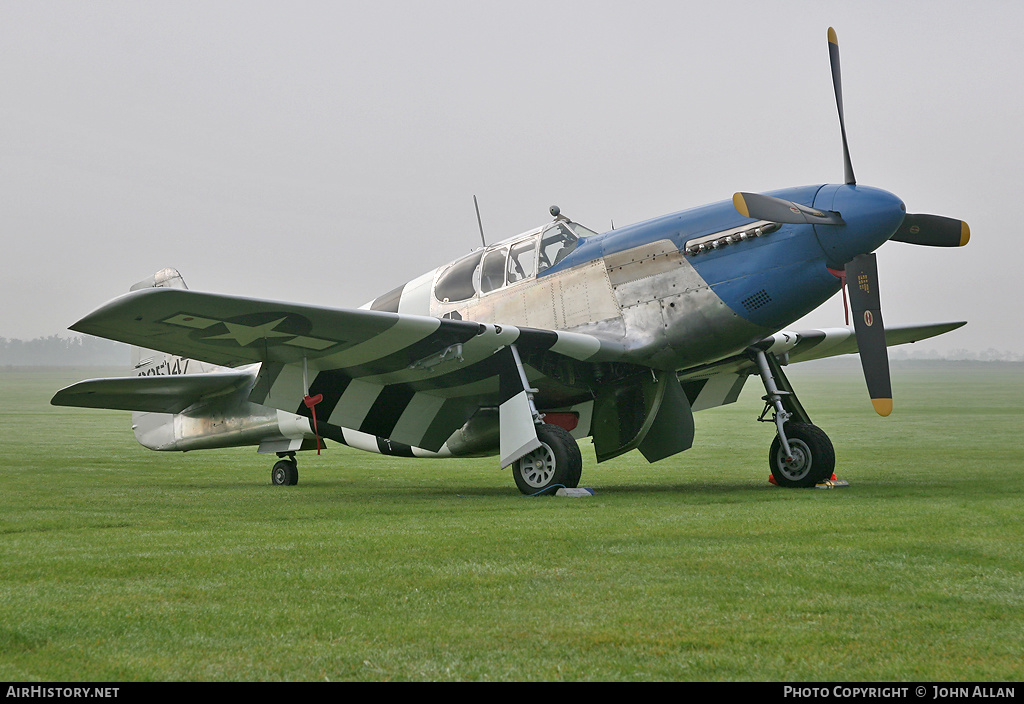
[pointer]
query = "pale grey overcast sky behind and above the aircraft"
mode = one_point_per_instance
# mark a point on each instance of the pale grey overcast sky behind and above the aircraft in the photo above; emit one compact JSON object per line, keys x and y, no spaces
{"x":327,"y":152}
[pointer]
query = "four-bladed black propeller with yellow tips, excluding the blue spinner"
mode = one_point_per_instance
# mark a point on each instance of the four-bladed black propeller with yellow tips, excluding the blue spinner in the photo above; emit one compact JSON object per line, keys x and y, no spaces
{"x":861,"y":274}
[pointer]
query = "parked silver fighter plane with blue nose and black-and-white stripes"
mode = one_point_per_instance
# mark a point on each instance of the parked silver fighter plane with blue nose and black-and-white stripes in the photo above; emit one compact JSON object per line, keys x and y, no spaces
{"x":528,"y":345}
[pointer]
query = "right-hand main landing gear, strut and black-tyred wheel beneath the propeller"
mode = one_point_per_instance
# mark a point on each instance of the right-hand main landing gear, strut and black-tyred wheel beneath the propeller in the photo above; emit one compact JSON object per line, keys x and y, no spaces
{"x":801,"y":455}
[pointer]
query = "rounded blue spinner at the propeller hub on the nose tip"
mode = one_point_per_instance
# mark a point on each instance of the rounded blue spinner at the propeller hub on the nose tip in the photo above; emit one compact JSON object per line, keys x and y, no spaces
{"x":872,"y":216}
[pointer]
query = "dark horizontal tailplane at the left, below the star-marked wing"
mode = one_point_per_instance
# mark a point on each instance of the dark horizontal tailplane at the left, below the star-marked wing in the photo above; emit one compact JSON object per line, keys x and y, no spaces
{"x":158,"y":394}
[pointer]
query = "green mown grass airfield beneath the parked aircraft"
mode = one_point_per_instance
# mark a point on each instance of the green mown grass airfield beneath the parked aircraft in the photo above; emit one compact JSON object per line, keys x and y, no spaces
{"x":122,"y":564}
